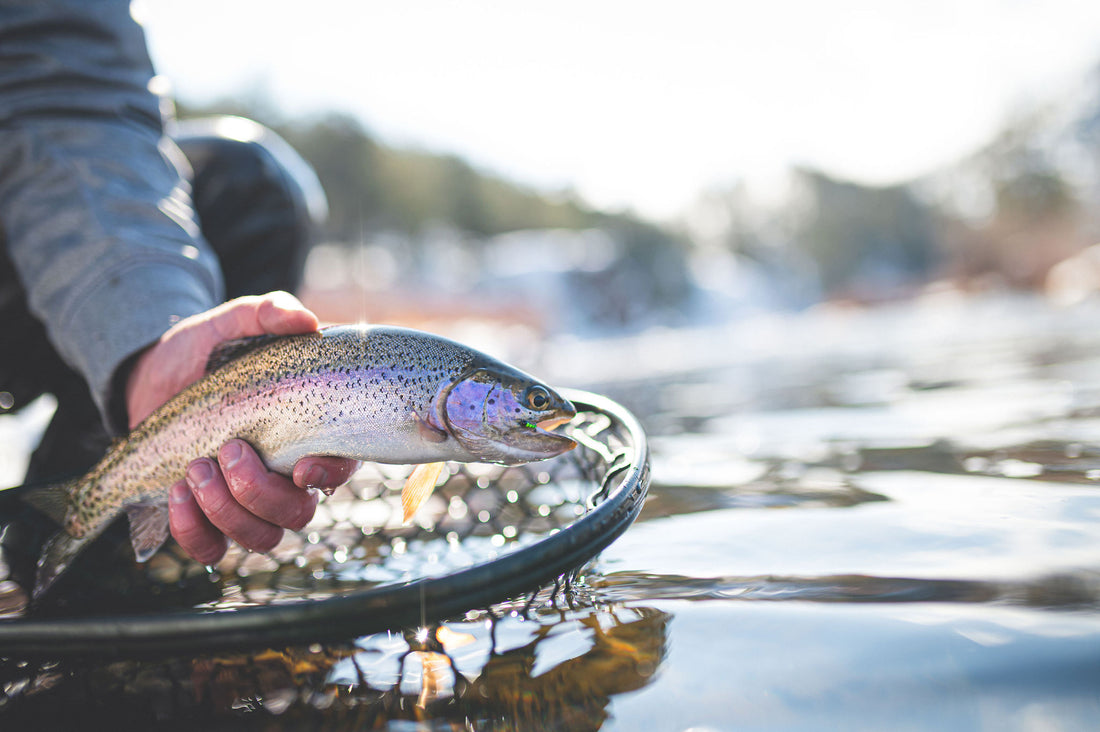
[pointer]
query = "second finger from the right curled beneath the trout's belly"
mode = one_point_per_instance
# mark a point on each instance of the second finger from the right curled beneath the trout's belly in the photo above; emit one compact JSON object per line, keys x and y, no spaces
{"x":266,"y":495}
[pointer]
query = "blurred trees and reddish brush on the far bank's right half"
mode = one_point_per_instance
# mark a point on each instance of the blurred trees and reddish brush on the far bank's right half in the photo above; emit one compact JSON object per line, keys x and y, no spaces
{"x":1010,"y":216}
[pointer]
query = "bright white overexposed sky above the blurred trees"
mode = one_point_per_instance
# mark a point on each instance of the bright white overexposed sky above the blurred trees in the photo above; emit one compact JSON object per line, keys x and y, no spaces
{"x":639,"y":105}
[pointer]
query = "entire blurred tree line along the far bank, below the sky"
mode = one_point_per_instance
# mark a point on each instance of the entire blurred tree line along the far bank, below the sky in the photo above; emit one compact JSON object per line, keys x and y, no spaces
{"x":1008,"y":216}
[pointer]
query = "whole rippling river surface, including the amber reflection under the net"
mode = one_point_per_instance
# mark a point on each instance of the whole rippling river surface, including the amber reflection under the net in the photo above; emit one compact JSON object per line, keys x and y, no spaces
{"x":859,"y":520}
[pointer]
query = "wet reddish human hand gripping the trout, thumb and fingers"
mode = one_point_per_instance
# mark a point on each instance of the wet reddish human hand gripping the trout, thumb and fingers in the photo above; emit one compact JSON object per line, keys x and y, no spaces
{"x":235,"y":497}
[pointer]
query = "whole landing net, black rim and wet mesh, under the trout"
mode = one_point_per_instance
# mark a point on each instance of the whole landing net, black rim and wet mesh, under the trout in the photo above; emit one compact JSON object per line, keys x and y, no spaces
{"x":488,"y":536}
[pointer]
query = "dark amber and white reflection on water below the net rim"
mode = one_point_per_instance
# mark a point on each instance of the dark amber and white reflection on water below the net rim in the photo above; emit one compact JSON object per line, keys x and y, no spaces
{"x":549,"y":671}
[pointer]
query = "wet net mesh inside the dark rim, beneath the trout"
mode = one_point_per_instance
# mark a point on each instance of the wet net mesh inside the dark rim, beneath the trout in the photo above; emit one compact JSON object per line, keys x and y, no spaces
{"x":358,"y":543}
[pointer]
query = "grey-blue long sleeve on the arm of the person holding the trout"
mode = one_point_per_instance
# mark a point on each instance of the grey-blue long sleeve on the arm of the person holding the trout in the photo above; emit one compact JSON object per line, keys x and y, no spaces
{"x":94,"y":203}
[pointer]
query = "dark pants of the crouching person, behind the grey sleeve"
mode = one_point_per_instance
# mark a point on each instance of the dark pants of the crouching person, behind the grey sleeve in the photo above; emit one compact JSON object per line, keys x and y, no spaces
{"x":255,"y":213}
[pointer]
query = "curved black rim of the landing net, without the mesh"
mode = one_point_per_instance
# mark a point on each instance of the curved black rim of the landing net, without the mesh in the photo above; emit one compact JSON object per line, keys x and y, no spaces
{"x":373,"y":610}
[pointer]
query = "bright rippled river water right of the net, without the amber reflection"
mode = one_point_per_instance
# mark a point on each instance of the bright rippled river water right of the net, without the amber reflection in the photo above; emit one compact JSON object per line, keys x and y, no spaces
{"x":872,"y":520}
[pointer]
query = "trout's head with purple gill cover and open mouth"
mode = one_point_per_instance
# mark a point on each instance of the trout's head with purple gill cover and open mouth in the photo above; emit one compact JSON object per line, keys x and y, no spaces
{"x":500,"y":414}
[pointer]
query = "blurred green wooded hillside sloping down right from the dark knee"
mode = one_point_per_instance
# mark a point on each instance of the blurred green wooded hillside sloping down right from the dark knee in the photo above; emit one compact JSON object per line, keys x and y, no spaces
{"x":412,"y":196}
